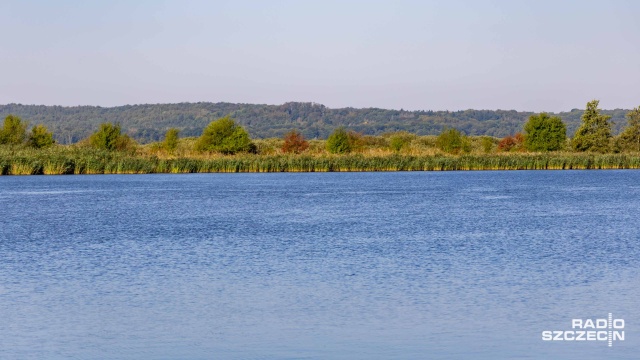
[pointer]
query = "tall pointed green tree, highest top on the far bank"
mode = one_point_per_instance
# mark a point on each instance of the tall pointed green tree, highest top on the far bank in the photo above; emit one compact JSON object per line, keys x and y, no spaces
{"x":595,"y":130}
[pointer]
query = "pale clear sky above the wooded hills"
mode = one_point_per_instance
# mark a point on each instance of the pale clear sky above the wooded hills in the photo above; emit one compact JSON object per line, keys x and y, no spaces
{"x":523,"y":55}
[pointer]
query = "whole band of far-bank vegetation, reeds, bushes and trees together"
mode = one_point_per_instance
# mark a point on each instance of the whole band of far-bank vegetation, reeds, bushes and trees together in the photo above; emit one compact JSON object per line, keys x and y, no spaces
{"x":225,"y":146}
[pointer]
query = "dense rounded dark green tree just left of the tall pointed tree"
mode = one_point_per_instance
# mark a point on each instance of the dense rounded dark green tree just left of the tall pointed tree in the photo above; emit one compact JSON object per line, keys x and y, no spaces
{"x":545,"y":133}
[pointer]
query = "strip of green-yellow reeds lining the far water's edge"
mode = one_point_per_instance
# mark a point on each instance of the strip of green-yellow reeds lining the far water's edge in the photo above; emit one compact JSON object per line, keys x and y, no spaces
{"x":61,"y":161}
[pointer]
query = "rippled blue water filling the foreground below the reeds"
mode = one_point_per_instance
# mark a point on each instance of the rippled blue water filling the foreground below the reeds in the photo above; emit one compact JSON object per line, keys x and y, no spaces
{"x":316,"y":266}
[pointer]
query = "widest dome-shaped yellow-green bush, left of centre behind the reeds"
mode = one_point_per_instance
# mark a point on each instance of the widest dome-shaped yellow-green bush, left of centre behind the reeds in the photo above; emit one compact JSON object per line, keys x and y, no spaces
{"x":225,"y":136}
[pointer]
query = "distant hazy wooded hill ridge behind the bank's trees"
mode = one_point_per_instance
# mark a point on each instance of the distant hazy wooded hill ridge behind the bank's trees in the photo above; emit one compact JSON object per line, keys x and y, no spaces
{"x":149,"y":122}
